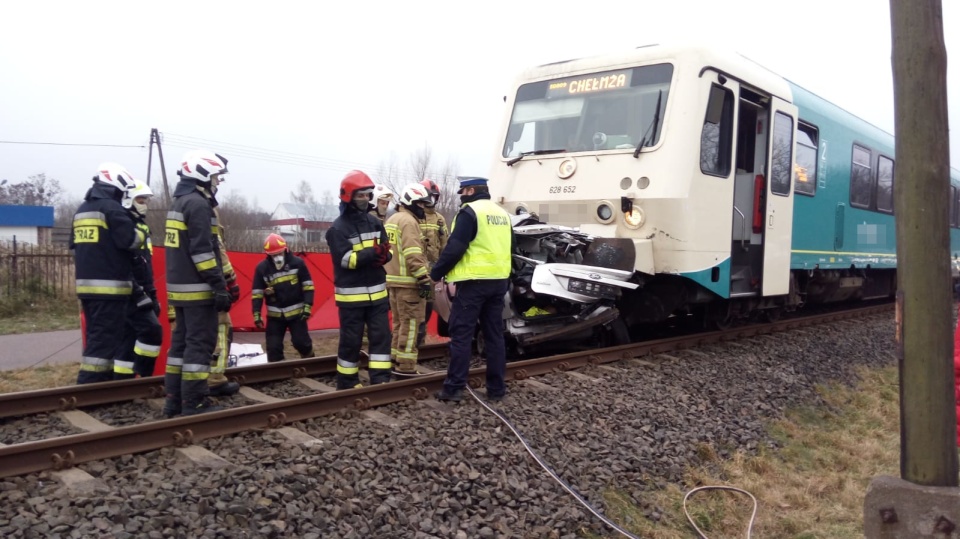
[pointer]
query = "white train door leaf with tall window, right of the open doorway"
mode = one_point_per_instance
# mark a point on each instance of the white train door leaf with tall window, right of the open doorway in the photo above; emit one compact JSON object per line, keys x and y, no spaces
{"x":778,"y":226}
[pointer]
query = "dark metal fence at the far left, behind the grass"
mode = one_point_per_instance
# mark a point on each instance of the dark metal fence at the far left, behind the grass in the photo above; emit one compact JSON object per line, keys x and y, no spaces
{"x":36,"y":271}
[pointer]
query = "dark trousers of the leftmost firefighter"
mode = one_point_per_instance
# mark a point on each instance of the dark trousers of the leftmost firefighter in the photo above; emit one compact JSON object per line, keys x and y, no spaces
{"x":104,"y":319}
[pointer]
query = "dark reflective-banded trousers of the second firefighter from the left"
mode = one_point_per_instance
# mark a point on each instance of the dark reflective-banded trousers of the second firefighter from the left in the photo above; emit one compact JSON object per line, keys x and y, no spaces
{"x":142,"y":338}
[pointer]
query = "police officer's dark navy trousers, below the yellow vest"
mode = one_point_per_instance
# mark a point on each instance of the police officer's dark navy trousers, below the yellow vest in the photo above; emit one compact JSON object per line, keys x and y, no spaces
{"x":477,"y":301}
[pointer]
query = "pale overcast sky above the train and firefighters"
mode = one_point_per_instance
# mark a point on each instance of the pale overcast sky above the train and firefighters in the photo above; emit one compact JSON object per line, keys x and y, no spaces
{"x":344,"y":85}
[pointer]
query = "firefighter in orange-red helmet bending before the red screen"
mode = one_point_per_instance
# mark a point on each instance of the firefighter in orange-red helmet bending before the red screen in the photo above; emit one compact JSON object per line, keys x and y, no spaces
{"x":284,"y":280}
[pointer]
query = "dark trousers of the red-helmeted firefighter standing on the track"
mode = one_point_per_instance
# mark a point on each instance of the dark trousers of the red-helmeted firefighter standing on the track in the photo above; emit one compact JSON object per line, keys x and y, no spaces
{"x":352,"y":321}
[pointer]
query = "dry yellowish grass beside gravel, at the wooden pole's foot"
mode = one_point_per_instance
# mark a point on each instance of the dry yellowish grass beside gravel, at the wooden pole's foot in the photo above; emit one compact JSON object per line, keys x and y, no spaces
{"x":813,"y":487}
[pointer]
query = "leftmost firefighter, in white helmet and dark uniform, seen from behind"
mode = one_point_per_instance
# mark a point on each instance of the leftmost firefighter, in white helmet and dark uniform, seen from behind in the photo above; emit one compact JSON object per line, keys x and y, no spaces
{"x":104,"y":241}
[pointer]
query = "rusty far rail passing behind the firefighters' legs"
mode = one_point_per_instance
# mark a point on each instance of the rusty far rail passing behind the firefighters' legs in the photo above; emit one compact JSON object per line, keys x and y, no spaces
{"x":72,"y":397}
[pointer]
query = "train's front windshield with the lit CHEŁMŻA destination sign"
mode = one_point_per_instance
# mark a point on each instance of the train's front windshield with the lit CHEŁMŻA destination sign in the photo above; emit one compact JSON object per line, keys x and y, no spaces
{"x":610,"y":110}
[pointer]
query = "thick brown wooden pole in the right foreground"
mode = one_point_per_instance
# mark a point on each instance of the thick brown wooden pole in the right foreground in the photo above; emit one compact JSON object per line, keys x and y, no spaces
{"x":928,"y":437}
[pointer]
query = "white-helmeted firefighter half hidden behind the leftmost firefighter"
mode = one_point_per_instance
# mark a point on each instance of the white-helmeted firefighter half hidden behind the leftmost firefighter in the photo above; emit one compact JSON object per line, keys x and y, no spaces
{"x":143,"y":334}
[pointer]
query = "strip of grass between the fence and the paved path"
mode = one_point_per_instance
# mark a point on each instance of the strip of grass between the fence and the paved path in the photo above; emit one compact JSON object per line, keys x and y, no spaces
{"x":22,"y":313}
